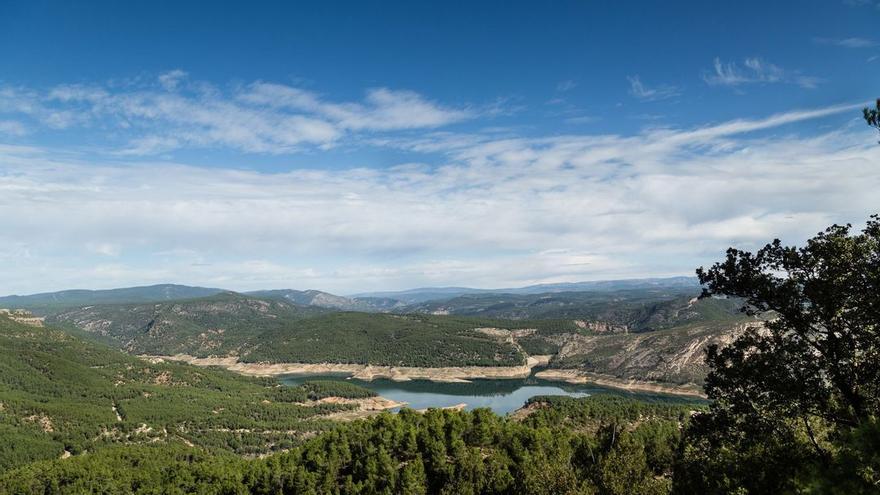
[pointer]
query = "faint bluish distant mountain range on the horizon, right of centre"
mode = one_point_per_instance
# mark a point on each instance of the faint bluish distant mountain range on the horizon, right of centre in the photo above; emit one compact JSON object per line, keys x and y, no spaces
{"x":425,"y":294}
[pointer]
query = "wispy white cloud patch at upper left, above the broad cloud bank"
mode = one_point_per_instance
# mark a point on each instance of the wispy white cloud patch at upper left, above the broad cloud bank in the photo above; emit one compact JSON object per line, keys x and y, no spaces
{"x":256,"y":118}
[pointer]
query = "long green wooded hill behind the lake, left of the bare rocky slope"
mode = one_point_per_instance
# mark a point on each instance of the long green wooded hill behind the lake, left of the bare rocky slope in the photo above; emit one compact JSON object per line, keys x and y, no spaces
{"x":273,"y":330}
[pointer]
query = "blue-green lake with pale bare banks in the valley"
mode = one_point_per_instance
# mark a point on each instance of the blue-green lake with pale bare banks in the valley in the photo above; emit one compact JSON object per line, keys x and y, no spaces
{"x":502,"y":396}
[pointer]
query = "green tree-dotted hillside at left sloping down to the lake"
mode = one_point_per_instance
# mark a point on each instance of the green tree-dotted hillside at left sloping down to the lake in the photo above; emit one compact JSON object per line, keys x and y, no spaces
{"x":61,"y":395}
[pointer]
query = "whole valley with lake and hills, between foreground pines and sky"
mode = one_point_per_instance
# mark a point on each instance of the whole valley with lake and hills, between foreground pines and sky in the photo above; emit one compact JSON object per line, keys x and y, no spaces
{"x":246,"y":376}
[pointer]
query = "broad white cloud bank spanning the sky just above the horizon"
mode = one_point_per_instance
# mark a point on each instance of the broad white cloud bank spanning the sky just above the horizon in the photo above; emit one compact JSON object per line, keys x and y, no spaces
{"x":499,"y":211}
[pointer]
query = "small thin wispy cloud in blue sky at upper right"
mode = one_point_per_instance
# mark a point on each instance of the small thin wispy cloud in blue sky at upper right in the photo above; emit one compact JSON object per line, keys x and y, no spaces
{"x":755,"y":71}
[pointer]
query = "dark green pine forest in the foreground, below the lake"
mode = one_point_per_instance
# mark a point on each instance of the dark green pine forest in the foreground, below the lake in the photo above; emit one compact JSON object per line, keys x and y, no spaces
{"x":599,"y":444}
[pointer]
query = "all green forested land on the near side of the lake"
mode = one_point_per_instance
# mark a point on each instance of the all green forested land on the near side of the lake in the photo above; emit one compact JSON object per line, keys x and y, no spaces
{"x":108,"y":412}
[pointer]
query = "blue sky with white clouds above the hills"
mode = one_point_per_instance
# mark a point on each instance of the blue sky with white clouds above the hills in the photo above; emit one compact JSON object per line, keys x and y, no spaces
{"x":362,"y":146}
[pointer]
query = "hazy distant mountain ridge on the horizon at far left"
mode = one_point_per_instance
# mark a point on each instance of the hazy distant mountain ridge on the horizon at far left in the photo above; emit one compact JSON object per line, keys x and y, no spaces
{"x":54,"y":301}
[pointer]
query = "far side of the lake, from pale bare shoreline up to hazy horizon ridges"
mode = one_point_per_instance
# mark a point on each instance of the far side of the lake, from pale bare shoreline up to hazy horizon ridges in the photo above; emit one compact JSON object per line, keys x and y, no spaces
{"x":648,"y":335}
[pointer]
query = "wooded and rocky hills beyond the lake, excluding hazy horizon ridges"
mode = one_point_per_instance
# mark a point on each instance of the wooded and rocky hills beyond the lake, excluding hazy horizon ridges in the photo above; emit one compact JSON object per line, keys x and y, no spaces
{"x":622,"y":336}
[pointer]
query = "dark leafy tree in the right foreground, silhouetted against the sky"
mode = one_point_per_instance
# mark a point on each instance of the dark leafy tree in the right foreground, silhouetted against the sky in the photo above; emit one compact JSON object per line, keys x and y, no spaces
{"x":790,"y":396}
